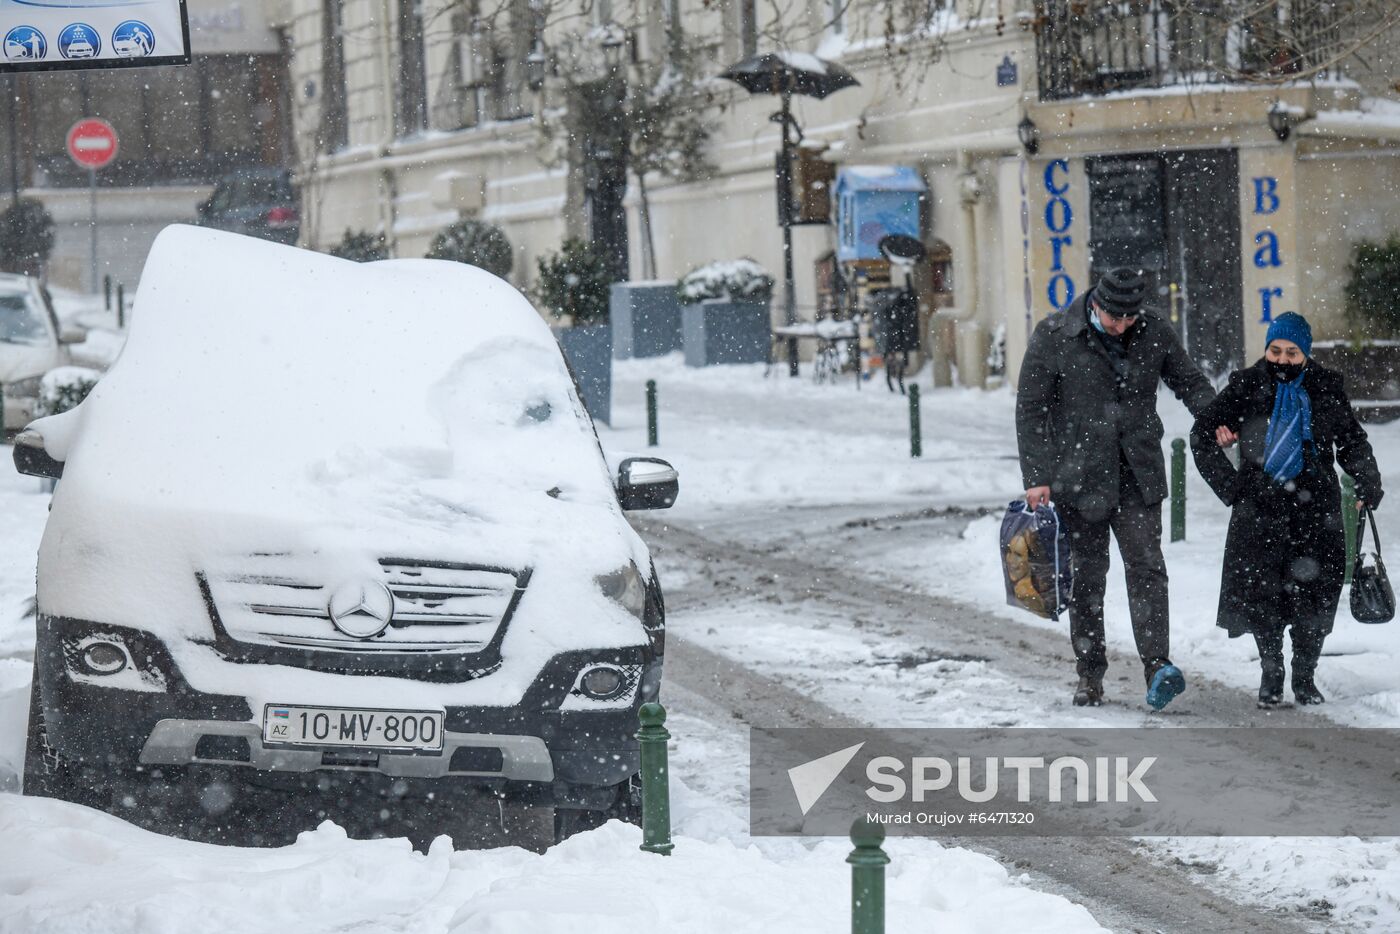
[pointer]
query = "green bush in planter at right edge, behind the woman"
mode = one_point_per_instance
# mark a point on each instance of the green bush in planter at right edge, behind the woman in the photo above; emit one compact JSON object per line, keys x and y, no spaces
{"x":1371,"y":361}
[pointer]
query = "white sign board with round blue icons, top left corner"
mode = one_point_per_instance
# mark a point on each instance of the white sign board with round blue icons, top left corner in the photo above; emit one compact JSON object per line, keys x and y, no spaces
{"x":93,"y":34}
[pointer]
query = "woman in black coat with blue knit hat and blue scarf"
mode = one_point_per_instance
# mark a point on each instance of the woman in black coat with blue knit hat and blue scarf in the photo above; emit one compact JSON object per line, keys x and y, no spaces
{"x":1286,"y":550}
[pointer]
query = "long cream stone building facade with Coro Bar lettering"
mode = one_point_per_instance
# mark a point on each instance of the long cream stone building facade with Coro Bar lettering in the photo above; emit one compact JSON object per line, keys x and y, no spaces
{"x":1053,"y":145}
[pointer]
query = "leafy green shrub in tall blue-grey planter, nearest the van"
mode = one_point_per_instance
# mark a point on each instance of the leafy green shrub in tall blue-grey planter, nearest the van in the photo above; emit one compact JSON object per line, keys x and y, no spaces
{"x":575,"y":288}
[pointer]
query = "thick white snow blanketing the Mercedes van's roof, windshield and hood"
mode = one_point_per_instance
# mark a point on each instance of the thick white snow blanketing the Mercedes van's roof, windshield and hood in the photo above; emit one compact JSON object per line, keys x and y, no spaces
{"x":279,"y":403}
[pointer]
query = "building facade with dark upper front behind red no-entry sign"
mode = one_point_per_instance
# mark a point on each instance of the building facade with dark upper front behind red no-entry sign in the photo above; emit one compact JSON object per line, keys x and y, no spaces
{"x":180,"y":128}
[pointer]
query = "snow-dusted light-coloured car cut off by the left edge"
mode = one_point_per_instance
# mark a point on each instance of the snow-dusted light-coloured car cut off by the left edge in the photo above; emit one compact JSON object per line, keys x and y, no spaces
{"x":31,"y":344}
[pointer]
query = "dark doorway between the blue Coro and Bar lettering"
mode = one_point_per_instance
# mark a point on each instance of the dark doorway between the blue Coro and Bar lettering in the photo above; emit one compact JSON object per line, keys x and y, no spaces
{"x":1177,"y":218}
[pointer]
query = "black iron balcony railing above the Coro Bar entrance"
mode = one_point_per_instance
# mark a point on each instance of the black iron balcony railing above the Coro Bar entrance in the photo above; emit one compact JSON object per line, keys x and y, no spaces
{"x":1100,"y":47}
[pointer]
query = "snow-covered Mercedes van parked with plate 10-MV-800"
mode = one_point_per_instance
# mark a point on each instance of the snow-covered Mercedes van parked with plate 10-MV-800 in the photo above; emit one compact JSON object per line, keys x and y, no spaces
{"x":342,"y":538}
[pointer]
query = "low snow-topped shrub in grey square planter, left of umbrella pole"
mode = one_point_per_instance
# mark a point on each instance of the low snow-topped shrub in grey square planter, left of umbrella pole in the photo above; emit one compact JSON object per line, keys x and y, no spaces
{"x":724,"y":314}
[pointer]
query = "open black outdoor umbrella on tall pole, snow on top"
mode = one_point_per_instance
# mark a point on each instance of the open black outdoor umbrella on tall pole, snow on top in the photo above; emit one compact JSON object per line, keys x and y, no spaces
{"x":789,"y":74}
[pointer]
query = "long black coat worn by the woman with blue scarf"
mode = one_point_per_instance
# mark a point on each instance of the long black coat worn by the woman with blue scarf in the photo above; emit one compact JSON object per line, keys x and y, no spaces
{"x":1286,"y":552}
